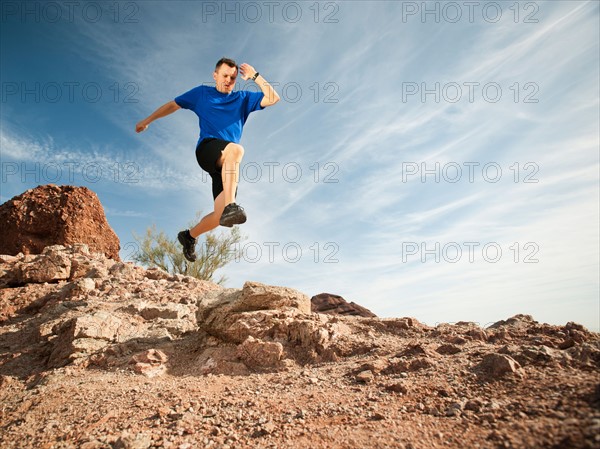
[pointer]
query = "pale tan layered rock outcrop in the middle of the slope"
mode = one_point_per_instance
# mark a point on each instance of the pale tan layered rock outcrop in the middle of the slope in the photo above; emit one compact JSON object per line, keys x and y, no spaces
{"x":270,"y":327}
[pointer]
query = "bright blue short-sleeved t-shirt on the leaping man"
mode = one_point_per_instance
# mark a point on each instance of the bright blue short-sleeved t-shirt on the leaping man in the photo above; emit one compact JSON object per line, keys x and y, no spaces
{"x":220,"y":115}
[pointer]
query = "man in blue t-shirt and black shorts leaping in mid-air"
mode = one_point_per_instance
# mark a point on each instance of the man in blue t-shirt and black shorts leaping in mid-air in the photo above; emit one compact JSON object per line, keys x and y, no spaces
{"x":222,"y":114}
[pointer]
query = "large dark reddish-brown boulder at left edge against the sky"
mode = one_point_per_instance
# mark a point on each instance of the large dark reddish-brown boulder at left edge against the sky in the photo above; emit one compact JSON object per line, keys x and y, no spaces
{"x":55,"y":215}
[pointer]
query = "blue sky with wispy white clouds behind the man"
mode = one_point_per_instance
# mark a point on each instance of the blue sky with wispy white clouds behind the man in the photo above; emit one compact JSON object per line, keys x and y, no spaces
{"x":430,"y":159}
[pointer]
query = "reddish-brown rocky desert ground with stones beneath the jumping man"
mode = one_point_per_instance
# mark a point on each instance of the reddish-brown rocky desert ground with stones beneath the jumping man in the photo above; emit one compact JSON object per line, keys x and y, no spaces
{"x":96,"y":353}
